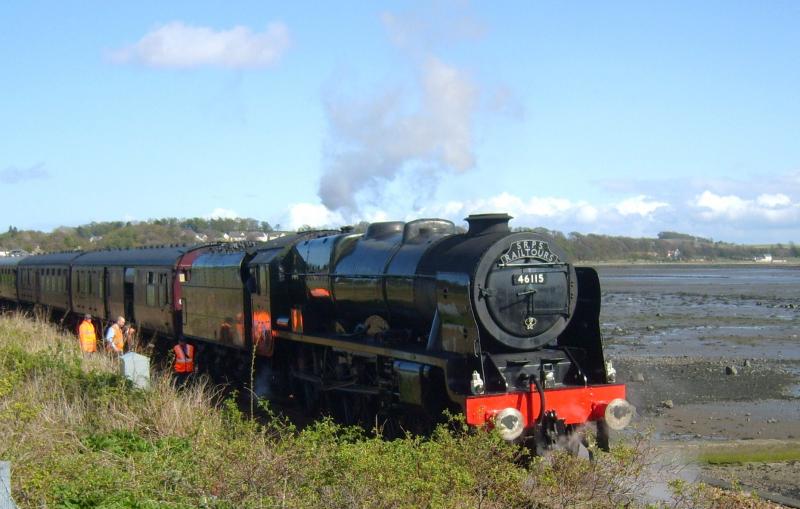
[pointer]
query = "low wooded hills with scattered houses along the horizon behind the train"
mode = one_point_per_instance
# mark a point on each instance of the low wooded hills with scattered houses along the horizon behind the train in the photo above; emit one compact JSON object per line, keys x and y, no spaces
{"x":668,"y":246}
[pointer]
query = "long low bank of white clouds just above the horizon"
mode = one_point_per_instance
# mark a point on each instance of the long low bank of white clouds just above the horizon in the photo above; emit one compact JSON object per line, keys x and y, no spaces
{"x":765,"y":218}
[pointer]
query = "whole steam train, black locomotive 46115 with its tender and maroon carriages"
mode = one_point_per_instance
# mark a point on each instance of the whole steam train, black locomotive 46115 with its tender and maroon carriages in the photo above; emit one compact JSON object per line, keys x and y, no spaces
{"x":403,"y":322}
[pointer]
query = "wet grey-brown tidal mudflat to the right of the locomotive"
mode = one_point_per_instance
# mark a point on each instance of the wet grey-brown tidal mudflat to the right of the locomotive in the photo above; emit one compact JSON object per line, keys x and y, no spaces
{"x":711,"y":357}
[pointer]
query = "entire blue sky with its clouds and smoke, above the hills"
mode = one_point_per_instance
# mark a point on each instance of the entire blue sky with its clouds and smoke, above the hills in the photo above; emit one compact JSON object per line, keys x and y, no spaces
{"x":622,"y":118}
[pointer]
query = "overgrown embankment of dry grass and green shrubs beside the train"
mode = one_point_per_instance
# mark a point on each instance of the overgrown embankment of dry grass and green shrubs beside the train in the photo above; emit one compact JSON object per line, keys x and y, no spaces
{"x":79,"y":436}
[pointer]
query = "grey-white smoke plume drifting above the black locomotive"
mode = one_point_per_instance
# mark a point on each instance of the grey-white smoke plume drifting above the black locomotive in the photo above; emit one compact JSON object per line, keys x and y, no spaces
{"x":374,"y":141}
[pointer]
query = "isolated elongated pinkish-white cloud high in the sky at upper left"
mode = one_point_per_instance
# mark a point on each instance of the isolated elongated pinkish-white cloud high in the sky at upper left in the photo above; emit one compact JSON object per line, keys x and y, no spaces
{"x":180,"y":46}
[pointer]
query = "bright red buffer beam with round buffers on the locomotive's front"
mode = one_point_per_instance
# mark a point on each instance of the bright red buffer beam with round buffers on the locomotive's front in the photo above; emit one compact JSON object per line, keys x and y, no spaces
{"x":572,"y":405}
